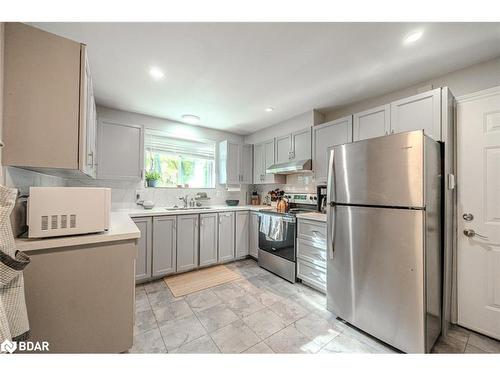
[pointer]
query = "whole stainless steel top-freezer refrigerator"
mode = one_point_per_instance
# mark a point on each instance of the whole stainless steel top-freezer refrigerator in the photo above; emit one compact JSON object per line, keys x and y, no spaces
{"x":384,"y":238}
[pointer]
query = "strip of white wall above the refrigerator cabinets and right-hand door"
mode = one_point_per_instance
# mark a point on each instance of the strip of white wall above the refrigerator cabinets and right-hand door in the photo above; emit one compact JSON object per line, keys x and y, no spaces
{"x":464,"y":81}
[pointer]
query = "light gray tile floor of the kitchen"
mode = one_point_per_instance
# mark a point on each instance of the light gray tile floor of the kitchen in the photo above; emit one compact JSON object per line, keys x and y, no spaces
{"x":261,"y":313}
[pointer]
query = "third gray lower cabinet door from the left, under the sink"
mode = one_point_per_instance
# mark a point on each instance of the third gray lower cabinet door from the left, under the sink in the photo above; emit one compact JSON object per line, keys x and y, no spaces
{"x":187,"y":242}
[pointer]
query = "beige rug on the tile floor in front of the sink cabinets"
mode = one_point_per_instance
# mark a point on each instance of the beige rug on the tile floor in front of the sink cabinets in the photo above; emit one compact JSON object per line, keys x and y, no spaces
{"x":194,"y":281}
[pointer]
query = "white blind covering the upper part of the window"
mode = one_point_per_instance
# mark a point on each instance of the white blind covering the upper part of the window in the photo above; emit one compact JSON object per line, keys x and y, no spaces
{"x":161,"y":142}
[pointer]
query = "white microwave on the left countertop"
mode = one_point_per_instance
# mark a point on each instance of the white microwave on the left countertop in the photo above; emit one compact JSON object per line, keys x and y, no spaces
{"x":64,"y":211}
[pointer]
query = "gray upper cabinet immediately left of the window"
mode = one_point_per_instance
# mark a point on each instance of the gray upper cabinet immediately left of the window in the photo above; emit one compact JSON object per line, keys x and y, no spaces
{"x":120,"y":150}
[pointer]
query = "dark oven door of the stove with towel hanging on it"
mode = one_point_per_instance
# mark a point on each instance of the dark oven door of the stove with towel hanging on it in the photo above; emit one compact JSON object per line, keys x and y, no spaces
{"x":284,"y":247}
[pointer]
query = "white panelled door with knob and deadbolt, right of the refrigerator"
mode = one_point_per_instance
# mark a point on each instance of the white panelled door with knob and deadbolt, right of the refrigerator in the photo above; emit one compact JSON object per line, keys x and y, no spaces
{"x":478,"y":141}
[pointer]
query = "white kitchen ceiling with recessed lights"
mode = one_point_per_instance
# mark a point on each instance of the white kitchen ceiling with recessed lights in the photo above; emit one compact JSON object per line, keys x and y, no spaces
{"x":228,"y":73}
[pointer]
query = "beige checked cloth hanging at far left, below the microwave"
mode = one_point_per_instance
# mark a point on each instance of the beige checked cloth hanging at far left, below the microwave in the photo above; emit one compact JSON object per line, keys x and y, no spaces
{"x":14,"y":324}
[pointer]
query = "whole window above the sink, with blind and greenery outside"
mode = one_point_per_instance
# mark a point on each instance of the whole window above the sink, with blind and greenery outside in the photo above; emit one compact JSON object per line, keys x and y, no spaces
{"x":180,"y":162}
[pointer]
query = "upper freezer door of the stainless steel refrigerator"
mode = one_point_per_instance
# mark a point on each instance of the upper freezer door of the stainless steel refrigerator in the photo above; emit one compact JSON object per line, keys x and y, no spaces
{"x":384,"y":171}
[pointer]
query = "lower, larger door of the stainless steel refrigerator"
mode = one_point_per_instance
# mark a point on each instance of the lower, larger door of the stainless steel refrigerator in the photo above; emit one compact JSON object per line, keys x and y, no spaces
{"x":382,"y":251}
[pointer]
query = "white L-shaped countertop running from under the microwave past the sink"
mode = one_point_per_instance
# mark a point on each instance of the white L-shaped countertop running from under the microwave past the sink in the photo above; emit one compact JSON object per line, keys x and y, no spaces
{"x":121,"y":228}
